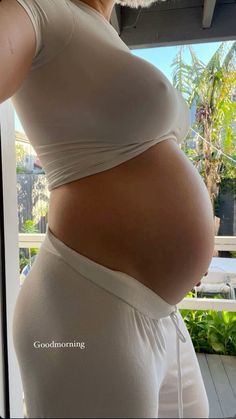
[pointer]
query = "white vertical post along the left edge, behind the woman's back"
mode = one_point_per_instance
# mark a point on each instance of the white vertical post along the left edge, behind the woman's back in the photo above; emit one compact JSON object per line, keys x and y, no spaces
{"x":11,"y":248}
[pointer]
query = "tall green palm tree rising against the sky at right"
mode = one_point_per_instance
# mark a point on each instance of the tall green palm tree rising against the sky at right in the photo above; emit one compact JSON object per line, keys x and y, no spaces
{"x":211,"y":90}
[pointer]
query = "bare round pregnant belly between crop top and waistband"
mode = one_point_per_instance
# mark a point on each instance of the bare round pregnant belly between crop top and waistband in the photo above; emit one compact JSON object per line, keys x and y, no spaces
{"x":150,"y":217}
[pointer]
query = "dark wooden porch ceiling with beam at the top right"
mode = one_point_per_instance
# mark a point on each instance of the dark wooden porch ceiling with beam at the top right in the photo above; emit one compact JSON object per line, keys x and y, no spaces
{"x":176,"y":22}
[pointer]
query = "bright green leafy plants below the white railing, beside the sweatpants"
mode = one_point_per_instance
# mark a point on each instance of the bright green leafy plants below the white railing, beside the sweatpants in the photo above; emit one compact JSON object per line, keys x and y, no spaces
{"x":212,"y":332}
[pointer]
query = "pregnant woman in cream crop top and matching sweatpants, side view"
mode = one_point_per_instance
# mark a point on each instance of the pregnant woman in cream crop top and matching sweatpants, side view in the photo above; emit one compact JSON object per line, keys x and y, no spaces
{"x":96,"y":329}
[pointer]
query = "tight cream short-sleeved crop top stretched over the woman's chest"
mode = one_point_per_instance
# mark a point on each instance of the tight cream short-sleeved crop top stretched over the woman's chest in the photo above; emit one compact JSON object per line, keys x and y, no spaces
{"x":87,"y":103}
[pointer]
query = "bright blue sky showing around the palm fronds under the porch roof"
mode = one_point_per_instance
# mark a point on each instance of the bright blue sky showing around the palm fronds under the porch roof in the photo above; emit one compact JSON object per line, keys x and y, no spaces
{"x":162,"y":58}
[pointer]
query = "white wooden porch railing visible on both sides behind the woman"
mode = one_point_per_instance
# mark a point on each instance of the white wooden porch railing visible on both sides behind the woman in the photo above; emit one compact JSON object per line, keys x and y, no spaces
{"x":224,"y":243}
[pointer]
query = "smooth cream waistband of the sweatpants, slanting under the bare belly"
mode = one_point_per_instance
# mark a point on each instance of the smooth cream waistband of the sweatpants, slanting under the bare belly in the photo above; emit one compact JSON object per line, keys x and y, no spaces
{"x":118,"y":283}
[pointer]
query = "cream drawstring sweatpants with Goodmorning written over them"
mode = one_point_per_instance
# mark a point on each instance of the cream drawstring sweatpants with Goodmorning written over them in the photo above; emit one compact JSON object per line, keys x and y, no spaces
{"x":92,"y":342}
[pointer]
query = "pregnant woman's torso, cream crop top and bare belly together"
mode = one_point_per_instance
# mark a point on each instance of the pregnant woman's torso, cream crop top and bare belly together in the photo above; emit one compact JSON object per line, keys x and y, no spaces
{"x":95,"y":114}
